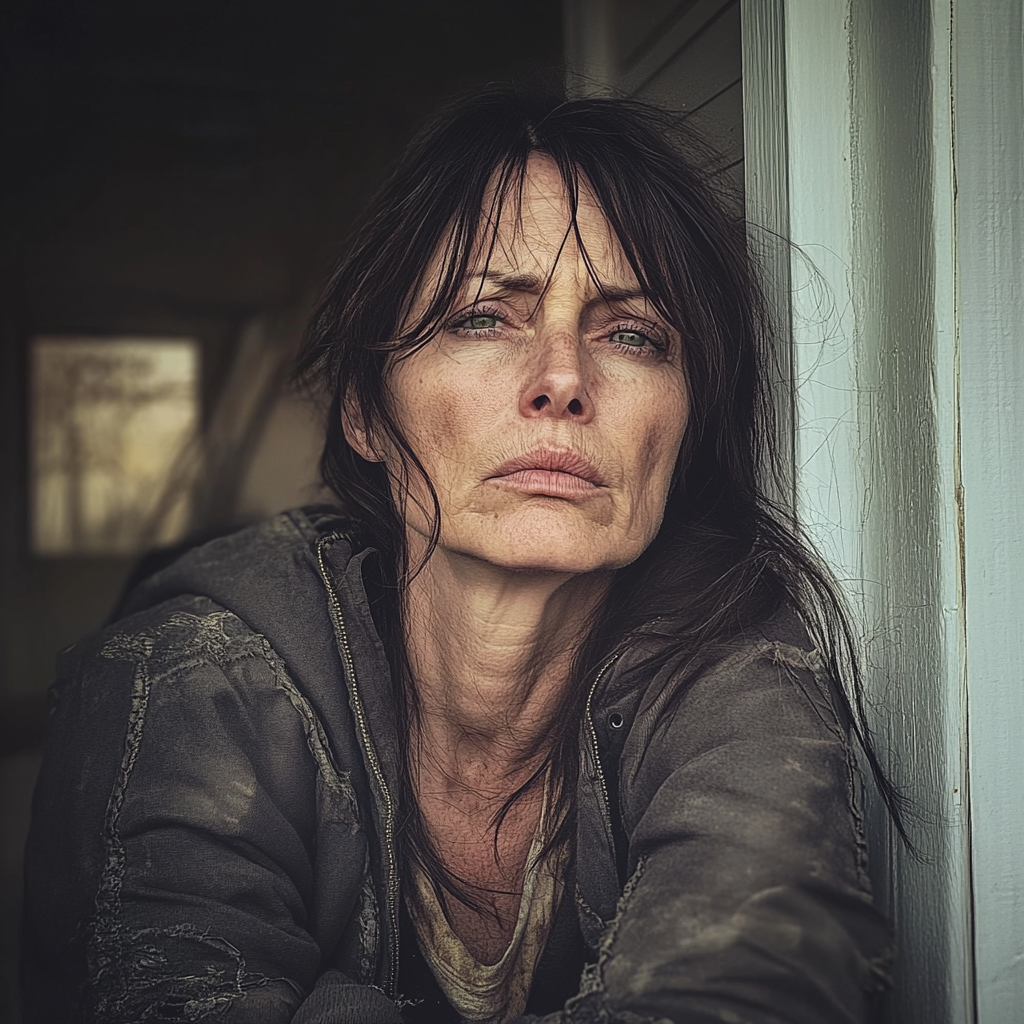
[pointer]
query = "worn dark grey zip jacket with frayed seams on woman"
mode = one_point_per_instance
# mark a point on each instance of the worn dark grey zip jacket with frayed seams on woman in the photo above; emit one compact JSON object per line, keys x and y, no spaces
{"x":215,"y":826}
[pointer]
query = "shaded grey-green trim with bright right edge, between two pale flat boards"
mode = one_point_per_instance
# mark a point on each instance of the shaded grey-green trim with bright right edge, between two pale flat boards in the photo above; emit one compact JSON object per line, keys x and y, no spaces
{"x":904,"y":307}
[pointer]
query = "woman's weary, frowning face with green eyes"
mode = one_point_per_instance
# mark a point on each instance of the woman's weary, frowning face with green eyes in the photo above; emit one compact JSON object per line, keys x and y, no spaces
{"x":548,"y":412}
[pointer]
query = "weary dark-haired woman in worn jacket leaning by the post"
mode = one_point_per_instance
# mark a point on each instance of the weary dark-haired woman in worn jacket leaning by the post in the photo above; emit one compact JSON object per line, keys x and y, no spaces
{"x":550,"y":721}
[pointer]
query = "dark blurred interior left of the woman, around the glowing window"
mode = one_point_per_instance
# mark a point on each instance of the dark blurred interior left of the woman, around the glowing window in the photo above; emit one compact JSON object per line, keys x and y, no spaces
{"x":183,"y":168}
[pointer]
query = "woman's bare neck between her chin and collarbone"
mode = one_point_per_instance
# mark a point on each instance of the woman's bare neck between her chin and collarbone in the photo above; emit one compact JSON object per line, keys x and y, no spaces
{"x":491,"y":651}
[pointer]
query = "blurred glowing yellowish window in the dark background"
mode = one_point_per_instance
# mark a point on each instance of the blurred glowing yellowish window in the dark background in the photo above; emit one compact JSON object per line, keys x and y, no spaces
{"x":114,"y":431}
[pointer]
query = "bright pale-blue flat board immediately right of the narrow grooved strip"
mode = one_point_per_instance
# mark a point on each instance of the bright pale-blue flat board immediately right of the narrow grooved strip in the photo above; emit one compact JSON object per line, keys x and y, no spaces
{"x":829,"y":474}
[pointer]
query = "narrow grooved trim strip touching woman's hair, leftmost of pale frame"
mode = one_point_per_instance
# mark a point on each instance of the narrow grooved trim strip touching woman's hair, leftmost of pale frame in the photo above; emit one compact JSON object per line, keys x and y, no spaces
{"x":766,"y":156}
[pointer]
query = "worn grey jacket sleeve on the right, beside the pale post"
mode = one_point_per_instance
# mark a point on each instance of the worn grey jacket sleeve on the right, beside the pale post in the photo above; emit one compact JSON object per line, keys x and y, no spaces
{"x":748,"y":900}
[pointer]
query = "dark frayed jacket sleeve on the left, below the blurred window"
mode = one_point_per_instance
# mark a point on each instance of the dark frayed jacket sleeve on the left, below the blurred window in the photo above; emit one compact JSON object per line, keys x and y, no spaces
{"x":172,"y":871}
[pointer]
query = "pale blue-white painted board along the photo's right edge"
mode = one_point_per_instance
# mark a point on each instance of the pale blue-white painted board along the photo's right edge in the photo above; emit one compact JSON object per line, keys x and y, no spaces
{"x":990,"y":162}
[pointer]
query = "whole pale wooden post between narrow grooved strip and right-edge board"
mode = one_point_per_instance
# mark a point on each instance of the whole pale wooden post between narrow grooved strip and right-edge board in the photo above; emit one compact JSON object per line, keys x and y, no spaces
{"x":875,"y":355}
